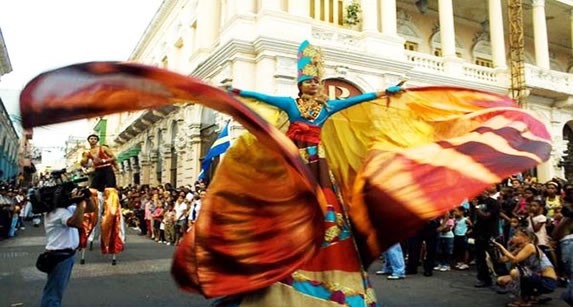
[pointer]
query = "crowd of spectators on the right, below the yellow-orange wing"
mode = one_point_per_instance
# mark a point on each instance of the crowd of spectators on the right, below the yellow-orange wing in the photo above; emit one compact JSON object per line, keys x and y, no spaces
{"x":517,"y":226}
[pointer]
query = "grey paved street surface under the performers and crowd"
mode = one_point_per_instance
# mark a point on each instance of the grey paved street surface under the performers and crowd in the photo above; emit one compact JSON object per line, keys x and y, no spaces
{"x":141,"y":278}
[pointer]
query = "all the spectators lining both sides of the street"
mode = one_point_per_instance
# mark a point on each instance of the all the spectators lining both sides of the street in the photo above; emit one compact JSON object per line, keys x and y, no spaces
{"x":509,"y":228}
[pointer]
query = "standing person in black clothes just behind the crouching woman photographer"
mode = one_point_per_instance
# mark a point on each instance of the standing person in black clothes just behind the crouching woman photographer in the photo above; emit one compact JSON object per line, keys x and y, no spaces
{"x":486,"y":228}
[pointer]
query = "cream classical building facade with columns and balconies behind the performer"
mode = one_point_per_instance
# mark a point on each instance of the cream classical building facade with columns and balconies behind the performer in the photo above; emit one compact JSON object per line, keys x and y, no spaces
{"x":251,"y":45}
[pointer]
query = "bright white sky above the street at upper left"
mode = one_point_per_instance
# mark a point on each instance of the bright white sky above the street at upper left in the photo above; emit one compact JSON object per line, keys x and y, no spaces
{"x":45,"y":34}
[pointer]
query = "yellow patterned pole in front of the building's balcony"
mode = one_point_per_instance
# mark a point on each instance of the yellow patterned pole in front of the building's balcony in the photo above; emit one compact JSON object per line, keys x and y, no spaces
{"x":516,"y":50}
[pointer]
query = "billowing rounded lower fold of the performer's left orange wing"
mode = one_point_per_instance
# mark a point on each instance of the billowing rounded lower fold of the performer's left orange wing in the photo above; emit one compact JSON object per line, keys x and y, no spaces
{"x":257,"y":224}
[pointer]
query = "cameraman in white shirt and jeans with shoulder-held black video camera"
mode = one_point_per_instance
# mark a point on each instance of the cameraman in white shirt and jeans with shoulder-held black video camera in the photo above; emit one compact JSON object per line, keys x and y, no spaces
{"x":63,"y":216}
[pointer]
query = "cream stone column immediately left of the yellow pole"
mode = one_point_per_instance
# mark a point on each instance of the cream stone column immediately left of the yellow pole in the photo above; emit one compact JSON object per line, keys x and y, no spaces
{"x":496,"y":34}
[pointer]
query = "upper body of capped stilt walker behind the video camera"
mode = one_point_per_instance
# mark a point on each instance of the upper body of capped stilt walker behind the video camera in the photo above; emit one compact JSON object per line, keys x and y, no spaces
{"x":103,"y":162}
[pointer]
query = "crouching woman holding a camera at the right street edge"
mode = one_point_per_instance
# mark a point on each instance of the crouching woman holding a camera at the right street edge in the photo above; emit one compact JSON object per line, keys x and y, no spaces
{"x":534,"y":271}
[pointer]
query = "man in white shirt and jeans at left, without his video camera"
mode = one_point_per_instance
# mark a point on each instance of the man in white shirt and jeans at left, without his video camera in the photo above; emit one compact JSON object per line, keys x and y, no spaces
{"x":62,"y":237}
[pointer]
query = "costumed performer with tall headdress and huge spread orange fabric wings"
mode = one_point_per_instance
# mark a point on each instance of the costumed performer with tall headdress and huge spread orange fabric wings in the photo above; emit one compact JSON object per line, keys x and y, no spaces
{"x":399,"y":158}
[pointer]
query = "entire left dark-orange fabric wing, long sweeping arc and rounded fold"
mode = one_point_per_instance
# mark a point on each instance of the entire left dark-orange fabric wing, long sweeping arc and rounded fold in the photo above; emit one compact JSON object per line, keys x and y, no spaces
{"x":251,"y":233}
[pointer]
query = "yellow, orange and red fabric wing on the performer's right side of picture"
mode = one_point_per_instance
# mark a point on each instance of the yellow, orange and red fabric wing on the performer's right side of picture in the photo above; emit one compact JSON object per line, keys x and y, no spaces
{"x":407,"y":160}
